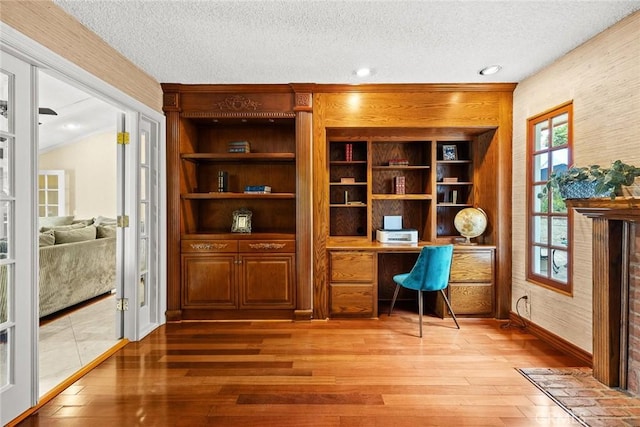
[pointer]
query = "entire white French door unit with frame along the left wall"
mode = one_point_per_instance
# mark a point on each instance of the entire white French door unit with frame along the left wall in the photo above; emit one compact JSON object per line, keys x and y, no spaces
{"x":141,"y":246}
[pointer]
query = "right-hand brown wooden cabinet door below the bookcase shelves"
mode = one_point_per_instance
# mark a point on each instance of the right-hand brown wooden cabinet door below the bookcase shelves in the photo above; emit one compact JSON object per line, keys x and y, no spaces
{"x":267,"y":281}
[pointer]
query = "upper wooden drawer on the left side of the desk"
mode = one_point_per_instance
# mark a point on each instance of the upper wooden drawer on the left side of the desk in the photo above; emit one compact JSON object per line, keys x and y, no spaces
{"x":351,"y":266}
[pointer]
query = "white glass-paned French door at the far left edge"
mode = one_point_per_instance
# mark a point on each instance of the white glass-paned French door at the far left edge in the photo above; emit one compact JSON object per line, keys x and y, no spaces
{"x":18,"y":305}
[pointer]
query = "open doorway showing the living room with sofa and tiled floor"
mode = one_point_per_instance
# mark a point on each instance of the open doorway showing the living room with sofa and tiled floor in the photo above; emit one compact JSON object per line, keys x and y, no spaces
{"x":77,"y":210}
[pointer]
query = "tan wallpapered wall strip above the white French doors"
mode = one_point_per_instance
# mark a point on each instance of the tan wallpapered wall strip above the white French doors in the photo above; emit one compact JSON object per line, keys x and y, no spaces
{"x":52,"y":27}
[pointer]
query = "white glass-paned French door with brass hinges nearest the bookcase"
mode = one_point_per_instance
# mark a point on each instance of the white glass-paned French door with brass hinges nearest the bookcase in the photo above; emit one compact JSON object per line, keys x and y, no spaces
{"x":141,"y":204}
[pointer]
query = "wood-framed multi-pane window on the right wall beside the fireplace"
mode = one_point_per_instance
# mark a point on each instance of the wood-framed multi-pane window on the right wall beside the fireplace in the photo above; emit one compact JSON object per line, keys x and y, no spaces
{"x":549,"y":146}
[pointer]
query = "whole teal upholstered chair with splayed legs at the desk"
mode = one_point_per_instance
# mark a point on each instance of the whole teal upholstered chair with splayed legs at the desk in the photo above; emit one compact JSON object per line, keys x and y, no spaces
{"x":429,"y":273}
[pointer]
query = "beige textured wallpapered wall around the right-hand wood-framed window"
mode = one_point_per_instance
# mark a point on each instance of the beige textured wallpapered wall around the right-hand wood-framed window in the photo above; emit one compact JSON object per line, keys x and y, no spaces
{"x":602,"y":77}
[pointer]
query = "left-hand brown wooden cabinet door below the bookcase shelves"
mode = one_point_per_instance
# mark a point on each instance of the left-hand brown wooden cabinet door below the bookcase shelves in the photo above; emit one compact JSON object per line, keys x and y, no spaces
{"x":209,"y":281}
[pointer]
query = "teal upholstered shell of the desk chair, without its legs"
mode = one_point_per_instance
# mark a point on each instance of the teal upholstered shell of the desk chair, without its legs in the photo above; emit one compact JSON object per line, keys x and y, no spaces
{"x":431,"y":270}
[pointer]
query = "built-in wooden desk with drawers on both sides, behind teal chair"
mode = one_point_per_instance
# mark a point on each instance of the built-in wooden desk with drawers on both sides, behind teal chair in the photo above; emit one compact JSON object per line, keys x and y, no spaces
{"x":361,"y":274}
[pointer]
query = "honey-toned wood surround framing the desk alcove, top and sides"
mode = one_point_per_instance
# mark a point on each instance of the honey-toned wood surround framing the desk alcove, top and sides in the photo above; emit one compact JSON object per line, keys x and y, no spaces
{"x":414,"y":106}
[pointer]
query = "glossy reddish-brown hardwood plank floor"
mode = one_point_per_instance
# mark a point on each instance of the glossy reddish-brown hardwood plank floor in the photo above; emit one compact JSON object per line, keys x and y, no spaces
{"x":319,"y":373}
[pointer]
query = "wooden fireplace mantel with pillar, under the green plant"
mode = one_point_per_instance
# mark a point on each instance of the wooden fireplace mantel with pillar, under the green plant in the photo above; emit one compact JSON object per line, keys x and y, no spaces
{"x":612,"y":220}
